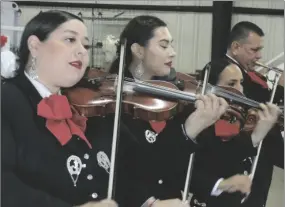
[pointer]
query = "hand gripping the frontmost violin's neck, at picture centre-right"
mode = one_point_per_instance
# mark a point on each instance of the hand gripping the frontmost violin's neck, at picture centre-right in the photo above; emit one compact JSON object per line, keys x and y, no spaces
{"x":209,"y":109}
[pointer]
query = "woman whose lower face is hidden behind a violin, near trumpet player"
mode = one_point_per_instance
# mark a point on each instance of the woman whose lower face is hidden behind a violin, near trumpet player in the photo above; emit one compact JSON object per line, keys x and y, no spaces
{"x":220,"y":173}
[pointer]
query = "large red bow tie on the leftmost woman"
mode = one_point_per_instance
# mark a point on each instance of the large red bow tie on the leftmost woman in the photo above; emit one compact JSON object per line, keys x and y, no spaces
{"x":60,"y":120}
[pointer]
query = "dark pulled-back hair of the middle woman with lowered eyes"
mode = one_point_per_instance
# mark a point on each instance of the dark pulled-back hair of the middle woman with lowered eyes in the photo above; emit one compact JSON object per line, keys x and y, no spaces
{"x":139,"y":30}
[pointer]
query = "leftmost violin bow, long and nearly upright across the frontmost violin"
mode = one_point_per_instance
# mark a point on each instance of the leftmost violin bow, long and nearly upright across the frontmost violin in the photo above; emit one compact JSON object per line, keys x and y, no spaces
{"x":116,"y":129}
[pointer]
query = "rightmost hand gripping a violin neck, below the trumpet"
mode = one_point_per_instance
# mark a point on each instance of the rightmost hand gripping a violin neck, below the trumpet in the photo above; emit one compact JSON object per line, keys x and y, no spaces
{"x":267,"y":118}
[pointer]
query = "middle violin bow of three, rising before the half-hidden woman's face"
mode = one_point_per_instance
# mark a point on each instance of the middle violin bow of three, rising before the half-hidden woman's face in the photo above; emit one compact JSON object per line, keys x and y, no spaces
{"x":191,"y":159}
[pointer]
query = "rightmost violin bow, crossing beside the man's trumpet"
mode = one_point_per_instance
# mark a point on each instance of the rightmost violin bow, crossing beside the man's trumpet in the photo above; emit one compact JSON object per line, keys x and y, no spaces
{"x":254,"y":165}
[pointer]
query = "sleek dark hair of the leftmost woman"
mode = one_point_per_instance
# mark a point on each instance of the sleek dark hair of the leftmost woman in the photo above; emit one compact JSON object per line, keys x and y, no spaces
{"x":42,"y":25}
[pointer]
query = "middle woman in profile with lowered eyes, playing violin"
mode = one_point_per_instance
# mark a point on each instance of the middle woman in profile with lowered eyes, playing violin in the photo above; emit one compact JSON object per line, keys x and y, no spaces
{"x":149,"y":55}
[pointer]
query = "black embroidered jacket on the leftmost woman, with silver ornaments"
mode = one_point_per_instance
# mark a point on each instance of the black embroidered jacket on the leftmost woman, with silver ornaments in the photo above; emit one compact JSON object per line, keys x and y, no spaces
{"x":34,"y":164}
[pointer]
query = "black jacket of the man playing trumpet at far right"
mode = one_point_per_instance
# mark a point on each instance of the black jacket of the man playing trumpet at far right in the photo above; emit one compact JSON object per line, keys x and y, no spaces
{"x":272,"y":152}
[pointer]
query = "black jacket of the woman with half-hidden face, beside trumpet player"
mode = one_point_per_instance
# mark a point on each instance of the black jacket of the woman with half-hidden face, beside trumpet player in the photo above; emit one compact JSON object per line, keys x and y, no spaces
{"x":219,"y":159}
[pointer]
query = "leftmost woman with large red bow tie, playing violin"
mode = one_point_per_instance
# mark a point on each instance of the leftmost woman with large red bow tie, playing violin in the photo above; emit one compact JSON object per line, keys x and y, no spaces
{"x":51,"y":155}
